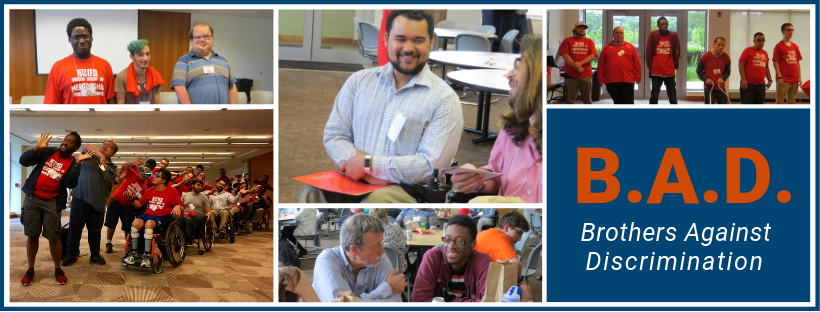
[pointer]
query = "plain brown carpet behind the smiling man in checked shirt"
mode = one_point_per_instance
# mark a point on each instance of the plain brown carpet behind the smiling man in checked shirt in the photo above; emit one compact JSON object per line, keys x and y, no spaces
{"x":305,"y":102}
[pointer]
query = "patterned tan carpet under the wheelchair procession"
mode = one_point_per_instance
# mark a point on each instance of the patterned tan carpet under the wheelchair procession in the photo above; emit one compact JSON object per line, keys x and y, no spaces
{"x":239,"y":272}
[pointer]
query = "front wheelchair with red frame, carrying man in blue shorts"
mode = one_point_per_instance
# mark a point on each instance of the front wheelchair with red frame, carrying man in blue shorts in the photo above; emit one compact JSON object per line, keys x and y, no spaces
{"x":168,"y":244}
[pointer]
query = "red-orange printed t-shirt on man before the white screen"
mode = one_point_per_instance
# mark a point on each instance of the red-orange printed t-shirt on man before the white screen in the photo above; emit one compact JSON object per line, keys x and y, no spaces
{"x":78,"y":81}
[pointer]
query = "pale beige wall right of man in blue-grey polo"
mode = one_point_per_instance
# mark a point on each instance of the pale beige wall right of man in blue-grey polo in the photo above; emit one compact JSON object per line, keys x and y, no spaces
{"x":247,"y":43}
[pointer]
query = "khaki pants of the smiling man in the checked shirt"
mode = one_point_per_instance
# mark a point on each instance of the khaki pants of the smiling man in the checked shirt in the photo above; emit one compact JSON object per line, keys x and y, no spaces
{"x":393,"y":194}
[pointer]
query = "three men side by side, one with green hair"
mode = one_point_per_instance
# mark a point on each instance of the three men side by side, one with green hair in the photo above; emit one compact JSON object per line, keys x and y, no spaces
{"x":201,"y":76}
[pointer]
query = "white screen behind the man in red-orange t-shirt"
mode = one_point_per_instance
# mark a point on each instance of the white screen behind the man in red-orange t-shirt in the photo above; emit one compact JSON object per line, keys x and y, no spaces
{"x":112,"y":31}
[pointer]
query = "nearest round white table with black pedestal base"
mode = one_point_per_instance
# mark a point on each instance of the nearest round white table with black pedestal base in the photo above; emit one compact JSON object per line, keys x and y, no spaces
{"x":487,"y":82}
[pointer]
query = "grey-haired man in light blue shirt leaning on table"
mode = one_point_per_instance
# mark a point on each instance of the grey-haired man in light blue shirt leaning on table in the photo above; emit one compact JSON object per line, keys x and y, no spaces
{"x":358,"y":266}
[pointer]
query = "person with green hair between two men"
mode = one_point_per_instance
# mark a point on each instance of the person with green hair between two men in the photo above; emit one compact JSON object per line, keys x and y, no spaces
{"x":139,"y":83}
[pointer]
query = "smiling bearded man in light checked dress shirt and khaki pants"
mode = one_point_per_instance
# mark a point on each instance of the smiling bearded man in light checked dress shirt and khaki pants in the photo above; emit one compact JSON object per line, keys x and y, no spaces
{"x":395,"y":122}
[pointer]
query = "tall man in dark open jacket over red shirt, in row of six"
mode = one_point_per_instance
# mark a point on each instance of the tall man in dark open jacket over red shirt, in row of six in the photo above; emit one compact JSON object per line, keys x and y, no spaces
{"x":662,"y":59}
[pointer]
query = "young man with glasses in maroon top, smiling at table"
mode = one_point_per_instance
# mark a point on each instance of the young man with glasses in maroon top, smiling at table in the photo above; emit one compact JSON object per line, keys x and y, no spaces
{"x":456,"y":271}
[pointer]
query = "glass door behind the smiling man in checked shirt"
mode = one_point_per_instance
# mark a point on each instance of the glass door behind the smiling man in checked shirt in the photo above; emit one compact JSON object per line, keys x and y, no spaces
{"x":321,"y":35}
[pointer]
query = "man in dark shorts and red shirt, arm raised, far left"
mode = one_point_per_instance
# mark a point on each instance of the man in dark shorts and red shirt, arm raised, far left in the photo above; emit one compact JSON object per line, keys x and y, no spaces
{"x":46,"y":195}
